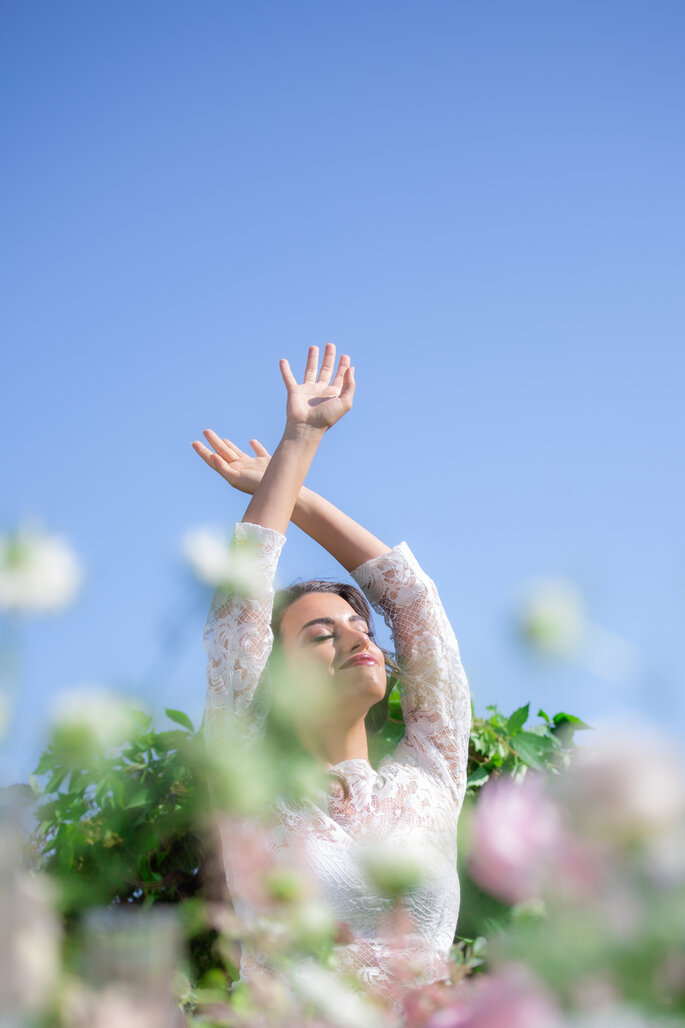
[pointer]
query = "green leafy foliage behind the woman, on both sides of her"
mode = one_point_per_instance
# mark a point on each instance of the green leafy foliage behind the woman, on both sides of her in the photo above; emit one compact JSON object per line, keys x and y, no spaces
{"x":126,"y":824}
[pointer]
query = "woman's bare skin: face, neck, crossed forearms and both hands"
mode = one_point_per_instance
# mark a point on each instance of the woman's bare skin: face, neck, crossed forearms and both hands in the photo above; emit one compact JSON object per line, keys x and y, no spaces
{"x":279,"y":496}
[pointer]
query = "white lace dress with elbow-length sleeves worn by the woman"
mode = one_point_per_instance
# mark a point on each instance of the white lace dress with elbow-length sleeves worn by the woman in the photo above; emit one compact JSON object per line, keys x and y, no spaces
{"x":411,"y":803}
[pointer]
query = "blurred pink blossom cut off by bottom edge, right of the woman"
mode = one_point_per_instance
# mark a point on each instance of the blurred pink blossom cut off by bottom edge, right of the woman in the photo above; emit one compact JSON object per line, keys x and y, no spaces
{"x":510,"y":999}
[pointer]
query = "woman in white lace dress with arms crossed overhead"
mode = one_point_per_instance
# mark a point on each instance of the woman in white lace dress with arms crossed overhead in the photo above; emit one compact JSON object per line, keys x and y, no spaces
{"x":413,"y":800}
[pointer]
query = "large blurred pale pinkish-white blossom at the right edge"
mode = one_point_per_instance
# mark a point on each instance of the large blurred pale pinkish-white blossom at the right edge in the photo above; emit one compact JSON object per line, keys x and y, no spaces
{"x":628,"y":787}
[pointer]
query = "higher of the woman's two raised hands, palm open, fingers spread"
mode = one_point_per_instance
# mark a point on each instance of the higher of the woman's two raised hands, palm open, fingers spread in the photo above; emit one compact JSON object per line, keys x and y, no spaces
{"x":319,"y":402}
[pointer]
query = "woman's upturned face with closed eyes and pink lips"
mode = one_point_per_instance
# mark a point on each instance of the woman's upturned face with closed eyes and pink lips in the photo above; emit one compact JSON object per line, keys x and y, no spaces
{"x":320,"y":631}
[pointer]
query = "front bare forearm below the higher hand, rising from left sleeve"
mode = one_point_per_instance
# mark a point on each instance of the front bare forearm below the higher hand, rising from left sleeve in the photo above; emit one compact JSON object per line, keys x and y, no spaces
{"x":274,"y":500}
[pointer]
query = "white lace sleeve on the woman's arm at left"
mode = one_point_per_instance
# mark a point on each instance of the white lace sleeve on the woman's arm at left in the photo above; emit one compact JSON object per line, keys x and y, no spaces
{"x":238,"y":635}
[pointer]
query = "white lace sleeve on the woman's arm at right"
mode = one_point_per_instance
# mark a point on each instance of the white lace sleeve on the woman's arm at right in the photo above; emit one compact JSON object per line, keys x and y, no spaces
{"x":436,"y":694}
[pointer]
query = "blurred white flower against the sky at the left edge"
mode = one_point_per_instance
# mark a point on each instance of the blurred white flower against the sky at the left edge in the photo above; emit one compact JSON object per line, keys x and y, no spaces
{"x":40,"y":573}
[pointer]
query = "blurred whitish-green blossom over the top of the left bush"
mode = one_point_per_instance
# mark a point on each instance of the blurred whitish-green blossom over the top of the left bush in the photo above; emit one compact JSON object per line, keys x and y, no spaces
{"x":92,"y":720}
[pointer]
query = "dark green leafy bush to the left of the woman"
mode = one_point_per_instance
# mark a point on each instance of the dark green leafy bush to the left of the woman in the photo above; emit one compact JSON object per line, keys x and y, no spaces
{"x":122,"y":827}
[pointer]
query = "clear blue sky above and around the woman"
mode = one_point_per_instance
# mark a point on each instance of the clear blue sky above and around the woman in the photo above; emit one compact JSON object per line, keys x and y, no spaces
{"x":481,"y":202}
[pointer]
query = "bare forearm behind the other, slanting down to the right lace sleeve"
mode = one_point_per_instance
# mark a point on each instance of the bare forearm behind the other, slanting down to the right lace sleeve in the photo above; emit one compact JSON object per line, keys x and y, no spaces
{"x":345,"y":539}
